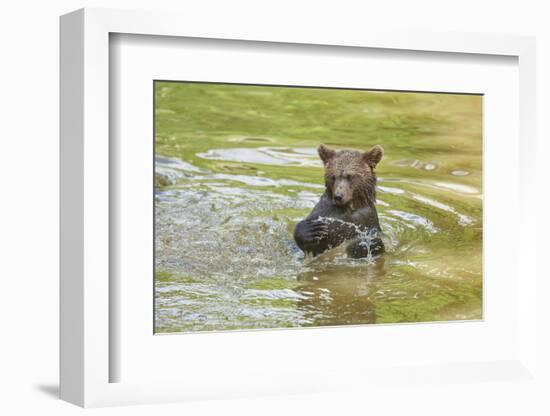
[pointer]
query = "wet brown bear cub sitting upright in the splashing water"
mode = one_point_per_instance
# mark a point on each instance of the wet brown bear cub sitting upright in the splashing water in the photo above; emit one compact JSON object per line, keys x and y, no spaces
{"x":346,"y":211}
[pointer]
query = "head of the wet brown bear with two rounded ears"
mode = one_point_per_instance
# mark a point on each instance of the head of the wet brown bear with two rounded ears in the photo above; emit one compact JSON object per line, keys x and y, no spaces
{"x":350,"y":177}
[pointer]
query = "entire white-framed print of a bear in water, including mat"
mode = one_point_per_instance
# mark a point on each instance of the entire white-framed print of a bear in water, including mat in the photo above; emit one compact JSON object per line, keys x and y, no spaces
{"x":271,"y":212}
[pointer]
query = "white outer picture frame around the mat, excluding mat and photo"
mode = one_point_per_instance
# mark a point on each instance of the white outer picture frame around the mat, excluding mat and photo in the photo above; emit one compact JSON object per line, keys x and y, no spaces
{"x":85,"y":220}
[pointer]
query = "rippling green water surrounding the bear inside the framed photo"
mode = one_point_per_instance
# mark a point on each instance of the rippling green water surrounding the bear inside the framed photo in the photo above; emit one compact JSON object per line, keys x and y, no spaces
{"x":236,"y":169}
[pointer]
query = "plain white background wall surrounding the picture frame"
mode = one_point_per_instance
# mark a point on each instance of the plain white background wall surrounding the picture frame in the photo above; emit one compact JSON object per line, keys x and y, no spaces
{"x":29,"y":209}
